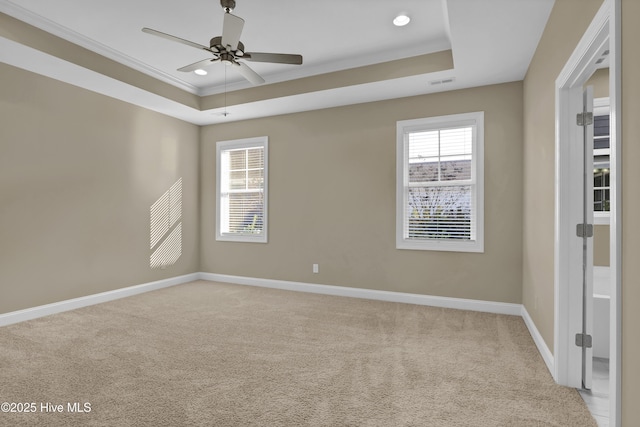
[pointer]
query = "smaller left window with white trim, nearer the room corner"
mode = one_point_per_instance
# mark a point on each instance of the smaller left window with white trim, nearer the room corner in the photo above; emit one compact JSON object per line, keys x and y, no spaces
{"x":241,"y":190}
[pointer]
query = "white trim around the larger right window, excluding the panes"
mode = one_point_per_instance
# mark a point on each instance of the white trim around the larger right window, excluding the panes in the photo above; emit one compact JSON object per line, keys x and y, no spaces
{"x":406,"y":126}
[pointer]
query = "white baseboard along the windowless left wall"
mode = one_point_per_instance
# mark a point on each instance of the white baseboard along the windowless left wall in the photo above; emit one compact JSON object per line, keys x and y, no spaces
{"x":72,"y":304}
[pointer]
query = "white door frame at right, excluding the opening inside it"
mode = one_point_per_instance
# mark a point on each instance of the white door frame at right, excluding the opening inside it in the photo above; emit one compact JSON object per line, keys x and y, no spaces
{"x":603,"y":30}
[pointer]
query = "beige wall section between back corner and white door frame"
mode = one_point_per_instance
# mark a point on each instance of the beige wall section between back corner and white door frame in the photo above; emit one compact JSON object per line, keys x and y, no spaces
{"x":568,"y":21}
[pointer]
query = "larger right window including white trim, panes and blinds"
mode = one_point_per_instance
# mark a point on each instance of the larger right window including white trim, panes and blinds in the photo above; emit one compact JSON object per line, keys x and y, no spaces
{"x":439,"y":192}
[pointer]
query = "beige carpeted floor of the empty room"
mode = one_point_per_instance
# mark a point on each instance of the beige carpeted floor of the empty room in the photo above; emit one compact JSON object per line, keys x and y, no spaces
{"x":210,"y":354}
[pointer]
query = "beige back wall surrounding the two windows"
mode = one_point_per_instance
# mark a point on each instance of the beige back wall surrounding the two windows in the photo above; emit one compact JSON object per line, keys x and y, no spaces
{"x":332,"y":200}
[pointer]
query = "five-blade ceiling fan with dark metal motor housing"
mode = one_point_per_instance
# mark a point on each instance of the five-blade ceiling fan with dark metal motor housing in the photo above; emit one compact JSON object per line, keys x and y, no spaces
{"x":229,"y":49}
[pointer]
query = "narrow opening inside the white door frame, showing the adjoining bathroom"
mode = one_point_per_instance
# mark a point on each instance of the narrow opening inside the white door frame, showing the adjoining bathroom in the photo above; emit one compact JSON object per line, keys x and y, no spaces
{"x":597,"y":199}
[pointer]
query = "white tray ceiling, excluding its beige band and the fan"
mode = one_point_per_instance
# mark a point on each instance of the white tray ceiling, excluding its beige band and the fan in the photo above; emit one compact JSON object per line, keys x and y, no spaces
{"x":492,"y":41}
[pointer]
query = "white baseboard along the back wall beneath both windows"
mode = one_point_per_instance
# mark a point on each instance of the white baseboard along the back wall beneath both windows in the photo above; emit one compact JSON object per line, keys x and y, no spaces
{"x":435,"y":301}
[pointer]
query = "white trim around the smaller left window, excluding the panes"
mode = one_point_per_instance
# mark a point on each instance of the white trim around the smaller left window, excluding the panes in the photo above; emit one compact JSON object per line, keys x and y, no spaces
{"x":261,"y":141}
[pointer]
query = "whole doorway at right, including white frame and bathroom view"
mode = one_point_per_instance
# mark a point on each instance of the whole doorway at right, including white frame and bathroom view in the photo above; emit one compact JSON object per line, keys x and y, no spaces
{"x":584,"y":179}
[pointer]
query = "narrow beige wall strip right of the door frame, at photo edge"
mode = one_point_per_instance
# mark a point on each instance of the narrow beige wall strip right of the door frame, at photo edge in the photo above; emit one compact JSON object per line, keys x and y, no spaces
{"x":630,"y":209}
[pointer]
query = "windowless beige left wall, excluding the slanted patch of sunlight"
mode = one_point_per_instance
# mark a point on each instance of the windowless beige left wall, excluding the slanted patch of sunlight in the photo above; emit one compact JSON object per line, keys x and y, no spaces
{"x":78,"y":174}
